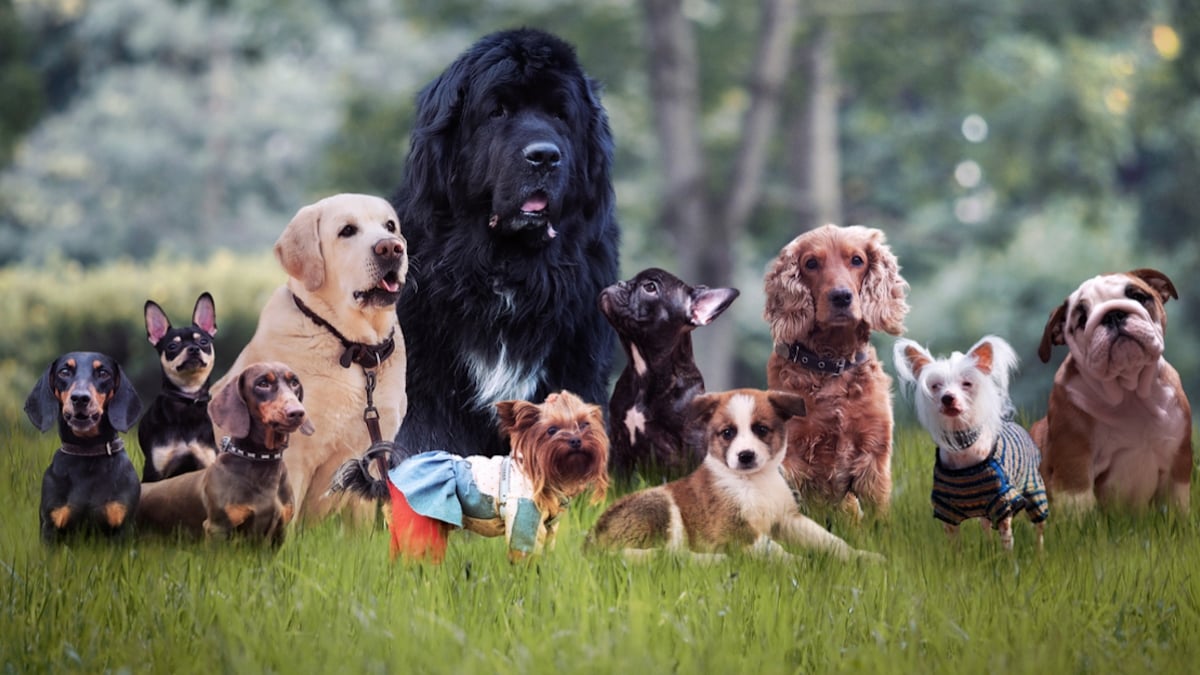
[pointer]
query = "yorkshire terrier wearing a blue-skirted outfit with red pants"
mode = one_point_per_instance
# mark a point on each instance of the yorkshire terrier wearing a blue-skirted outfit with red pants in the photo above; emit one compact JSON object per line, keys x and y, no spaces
{"x":560,"y":451}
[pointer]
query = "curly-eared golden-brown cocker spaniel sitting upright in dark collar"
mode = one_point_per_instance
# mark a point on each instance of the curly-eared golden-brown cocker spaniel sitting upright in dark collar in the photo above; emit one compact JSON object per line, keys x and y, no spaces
{"x":827,"y":291}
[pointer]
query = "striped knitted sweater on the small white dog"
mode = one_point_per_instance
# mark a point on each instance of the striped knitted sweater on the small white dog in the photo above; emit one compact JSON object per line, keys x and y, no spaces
{"x":1001,"y":486}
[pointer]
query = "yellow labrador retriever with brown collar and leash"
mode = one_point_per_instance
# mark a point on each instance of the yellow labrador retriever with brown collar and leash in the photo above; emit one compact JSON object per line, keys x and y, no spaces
{"x":334,"y":324}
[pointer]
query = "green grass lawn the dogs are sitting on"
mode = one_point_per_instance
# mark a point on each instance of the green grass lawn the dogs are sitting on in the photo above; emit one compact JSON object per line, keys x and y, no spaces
{"x":1111,"y":594}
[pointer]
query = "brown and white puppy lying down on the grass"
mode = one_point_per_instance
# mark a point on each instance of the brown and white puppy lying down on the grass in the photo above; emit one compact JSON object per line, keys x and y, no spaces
{"x":737,"y":500}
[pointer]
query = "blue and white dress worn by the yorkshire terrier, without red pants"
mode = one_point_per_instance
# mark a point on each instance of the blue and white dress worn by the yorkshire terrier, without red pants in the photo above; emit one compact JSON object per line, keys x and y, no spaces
{"x":452,"y":489}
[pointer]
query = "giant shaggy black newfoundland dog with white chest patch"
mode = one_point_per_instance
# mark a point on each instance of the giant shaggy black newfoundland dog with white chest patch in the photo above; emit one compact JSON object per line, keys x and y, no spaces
{"x":507,"y":202}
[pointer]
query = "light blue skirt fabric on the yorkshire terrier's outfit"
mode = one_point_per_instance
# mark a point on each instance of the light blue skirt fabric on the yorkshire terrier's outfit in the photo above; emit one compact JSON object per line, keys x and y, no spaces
{"x":440,"y":486}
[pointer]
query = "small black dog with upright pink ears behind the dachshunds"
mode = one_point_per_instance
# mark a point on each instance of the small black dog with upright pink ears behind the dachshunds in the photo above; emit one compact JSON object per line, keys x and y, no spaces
{"x":177,"y":419}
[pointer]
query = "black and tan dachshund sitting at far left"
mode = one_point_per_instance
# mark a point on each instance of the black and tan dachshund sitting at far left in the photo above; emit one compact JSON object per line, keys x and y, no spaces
{"x":92,"y":483}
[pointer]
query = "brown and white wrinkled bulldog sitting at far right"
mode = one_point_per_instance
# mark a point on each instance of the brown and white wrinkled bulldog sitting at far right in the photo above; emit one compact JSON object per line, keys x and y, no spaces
{"x":1119,"y":427}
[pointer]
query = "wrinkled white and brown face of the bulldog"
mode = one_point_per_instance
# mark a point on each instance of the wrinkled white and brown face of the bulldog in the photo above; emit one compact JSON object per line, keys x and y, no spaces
{"x":1114,"y":326}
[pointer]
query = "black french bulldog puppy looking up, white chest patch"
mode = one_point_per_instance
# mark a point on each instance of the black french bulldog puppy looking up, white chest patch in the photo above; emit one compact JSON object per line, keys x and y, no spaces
{"x":655,"y":315}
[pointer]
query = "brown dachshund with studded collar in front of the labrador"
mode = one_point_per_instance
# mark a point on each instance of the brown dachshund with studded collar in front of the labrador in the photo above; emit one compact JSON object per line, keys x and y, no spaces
{"x":247,"y":489}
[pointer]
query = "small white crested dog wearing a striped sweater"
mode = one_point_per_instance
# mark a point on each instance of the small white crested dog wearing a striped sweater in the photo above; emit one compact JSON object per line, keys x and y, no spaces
{"x":987,"y":464}
